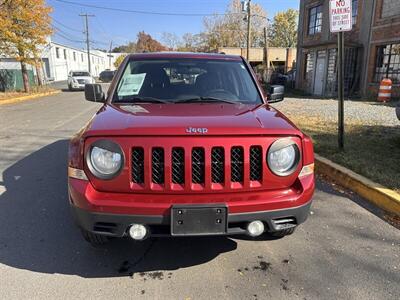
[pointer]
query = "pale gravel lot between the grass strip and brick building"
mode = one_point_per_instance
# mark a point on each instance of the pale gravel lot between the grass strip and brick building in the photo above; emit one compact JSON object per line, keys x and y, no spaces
{"x":368,"y":113}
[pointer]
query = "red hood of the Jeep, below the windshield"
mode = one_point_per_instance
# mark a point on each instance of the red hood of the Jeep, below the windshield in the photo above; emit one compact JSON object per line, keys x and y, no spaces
{"x":189,"y":119}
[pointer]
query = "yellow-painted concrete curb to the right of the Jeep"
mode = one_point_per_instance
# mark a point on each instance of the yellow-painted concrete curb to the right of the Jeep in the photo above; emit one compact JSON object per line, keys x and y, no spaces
{"x":375,"y":193}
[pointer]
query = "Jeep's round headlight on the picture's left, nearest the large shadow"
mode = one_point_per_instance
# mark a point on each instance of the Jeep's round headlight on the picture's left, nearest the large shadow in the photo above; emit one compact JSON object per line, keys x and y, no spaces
{"x":105,"y":159}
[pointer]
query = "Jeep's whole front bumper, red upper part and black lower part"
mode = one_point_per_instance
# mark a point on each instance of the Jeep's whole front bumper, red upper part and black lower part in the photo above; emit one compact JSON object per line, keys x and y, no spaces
{"x":112,"y":213}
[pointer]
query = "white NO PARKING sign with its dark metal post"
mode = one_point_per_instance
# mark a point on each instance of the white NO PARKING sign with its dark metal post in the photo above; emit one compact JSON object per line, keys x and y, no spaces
{"x":340,"y":15}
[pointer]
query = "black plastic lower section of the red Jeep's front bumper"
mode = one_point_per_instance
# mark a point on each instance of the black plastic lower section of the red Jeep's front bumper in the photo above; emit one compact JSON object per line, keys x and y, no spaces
{"x":117,"y":225}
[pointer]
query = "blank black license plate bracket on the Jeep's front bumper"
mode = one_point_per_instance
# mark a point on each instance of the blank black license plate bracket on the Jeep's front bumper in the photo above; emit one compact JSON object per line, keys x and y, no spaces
{"x":199,"y":220}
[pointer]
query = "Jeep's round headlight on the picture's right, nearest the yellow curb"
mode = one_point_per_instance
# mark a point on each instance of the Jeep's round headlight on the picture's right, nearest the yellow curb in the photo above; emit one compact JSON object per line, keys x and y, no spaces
{"x":283,"y":157}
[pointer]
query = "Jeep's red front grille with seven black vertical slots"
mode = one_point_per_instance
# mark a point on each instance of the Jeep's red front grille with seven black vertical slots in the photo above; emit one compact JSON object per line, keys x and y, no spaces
{"x":207,"y":166}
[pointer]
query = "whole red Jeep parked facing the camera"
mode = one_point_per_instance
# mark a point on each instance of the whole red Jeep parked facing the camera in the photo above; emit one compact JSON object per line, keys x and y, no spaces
{"x":187,"y":145}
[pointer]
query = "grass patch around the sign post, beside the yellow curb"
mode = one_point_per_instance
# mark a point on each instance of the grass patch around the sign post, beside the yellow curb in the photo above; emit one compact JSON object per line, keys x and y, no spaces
{"x":370,"y":150}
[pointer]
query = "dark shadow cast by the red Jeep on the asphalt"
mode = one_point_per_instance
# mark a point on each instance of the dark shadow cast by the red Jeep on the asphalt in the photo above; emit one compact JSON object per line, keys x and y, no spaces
{"x":37,"y":232}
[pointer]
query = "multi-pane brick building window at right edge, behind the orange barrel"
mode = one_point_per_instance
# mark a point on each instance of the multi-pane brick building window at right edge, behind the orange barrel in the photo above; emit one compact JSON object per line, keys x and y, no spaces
{"x":388,"y":63}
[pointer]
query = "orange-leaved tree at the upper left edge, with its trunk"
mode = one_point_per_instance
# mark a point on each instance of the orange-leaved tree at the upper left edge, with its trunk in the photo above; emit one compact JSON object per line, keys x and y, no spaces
{"x":25,"y":26}
